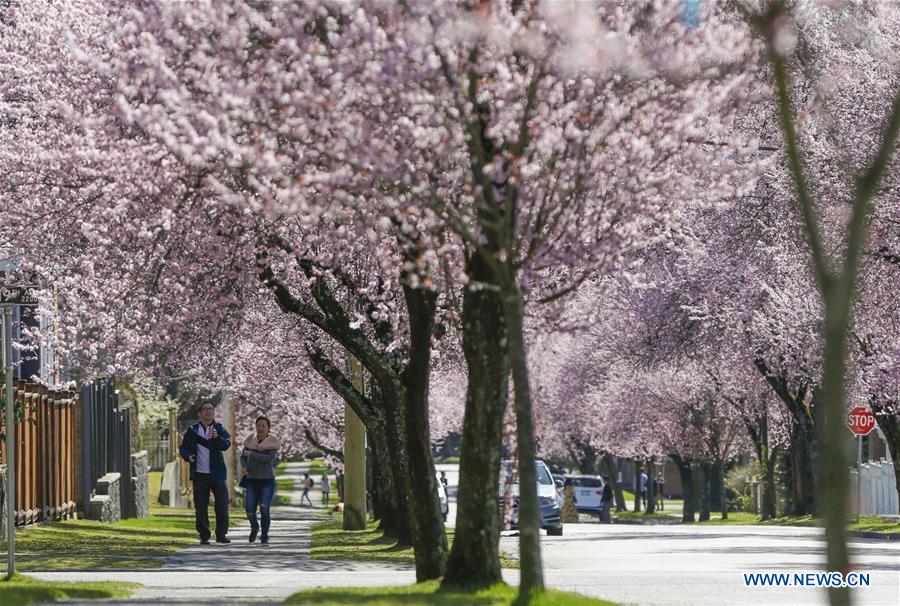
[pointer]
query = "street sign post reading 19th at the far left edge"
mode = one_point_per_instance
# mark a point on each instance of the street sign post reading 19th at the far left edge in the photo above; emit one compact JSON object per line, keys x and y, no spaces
{"x":11,"y":296}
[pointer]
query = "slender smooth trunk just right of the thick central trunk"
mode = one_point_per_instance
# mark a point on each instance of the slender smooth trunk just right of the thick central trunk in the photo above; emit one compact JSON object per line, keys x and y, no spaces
{"x":531,"y":569}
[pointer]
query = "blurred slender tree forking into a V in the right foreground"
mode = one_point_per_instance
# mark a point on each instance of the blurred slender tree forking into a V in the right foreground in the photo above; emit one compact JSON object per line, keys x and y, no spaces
{"x":833,"y":95}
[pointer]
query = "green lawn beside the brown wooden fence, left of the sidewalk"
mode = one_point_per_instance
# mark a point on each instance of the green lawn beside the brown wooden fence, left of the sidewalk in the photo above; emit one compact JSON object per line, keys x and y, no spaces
{"x":80,"y":544}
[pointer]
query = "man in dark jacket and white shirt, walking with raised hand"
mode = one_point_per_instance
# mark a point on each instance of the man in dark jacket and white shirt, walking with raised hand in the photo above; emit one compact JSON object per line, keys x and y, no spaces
{"x":202,"y":446}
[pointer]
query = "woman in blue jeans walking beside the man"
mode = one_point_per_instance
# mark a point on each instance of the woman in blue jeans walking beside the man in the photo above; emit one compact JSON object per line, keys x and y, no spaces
{"x":258,"y":463}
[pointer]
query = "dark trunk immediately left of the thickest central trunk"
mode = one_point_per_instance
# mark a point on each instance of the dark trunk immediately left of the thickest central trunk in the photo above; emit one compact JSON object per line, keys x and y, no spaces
{"x":429,"y":537}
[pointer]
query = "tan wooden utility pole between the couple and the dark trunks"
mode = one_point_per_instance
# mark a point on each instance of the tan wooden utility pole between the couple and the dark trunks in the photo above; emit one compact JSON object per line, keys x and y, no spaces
{"x":354,"y":459}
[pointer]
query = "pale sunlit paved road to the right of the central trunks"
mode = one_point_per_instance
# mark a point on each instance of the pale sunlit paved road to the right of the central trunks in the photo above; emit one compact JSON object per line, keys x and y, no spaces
{"x":690,"y":565}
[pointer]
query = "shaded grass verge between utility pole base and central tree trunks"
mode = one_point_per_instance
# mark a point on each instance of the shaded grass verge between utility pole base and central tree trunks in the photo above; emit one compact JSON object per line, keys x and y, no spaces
{"x":331,"y":542}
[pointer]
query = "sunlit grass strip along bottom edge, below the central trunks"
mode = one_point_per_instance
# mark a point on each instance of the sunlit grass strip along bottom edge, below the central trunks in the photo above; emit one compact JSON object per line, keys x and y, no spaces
{"x":430,"y":593}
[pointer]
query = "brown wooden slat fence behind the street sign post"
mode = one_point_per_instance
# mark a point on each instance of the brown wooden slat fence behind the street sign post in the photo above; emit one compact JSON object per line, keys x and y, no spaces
{"x":45,"y":454}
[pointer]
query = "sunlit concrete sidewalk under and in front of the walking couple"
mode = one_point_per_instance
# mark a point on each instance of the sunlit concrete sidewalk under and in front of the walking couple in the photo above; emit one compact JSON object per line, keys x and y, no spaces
{"x":241,"y":572}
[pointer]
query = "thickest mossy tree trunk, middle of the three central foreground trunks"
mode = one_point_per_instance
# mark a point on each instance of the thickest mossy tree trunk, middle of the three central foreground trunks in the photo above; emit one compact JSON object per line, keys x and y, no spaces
{"x":474,"y":558}
